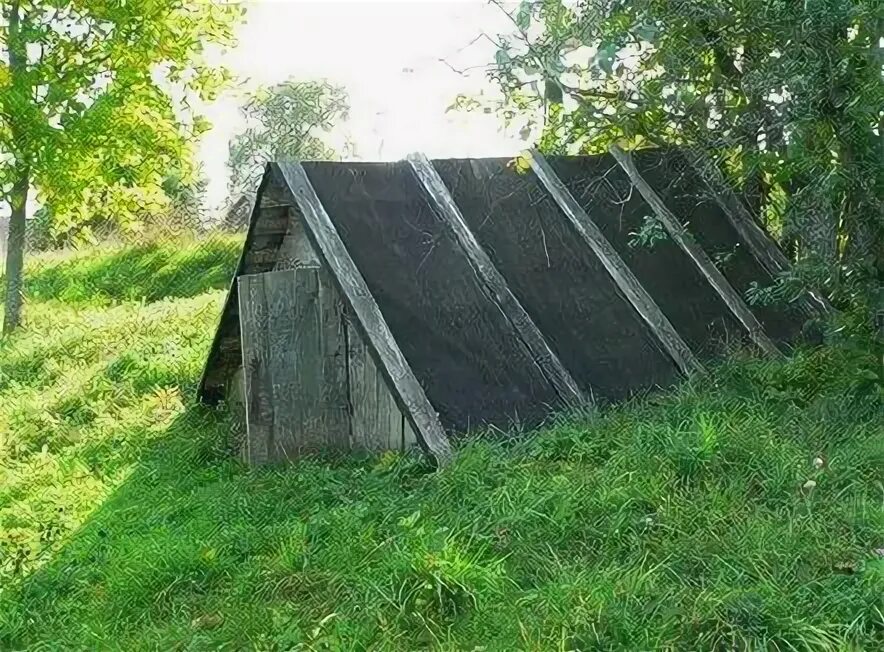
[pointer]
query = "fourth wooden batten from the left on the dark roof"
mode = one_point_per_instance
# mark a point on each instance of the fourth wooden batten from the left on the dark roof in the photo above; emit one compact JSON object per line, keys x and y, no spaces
{"x":695,"y":252}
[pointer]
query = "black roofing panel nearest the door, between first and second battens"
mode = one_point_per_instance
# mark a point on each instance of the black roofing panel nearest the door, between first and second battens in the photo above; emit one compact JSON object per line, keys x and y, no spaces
{"x":472,"y":365}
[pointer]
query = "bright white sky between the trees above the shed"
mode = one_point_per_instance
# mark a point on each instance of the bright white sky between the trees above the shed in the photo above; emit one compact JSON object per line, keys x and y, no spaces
{"x":387,"y":56}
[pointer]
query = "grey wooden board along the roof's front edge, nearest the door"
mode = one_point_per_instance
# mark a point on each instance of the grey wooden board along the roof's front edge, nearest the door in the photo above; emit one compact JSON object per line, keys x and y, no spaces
{"x":408,"y":391}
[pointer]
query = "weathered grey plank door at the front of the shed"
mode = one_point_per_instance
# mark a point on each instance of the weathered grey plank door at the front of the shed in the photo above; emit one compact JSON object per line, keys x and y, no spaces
{"x":294,"y":364}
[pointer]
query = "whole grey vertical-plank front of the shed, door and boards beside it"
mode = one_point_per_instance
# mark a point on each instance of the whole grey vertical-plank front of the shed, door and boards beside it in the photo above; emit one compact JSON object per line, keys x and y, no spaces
{"x":309,"y":383}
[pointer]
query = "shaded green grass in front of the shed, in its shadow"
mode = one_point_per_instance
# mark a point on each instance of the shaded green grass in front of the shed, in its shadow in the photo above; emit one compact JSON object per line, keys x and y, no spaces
{"x":661,"y":513}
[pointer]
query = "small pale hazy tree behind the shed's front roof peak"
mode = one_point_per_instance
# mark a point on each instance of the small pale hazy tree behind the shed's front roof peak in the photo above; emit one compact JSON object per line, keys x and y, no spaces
{"x":285,"y":121}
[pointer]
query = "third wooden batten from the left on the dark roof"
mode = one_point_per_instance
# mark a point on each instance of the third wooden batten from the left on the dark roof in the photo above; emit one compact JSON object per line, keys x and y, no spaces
{"x":635,"y":292}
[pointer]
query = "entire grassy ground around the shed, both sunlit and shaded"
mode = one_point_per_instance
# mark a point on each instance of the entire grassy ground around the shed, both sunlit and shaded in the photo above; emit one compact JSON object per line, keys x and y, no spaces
{"x":677,"y":522}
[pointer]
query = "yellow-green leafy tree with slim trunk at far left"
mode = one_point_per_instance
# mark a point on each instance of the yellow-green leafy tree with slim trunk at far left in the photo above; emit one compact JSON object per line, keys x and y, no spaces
{"x":88,"y":119}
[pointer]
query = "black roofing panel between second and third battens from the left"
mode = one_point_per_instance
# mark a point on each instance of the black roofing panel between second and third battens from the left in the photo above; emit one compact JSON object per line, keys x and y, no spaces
{"x":596,"y":333}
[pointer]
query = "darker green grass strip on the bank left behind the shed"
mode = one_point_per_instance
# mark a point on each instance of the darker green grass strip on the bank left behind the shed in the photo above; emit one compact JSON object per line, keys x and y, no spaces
{"x":147,"y":272}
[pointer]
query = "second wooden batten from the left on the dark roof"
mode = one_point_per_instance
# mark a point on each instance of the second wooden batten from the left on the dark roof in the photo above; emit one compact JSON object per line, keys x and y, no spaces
{"x":545,"y":358}
